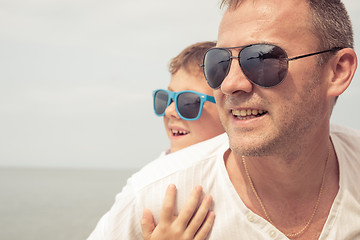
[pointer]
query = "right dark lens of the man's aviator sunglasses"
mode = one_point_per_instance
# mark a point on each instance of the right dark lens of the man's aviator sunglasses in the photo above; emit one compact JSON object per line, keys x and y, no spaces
{"x":264,"y":65}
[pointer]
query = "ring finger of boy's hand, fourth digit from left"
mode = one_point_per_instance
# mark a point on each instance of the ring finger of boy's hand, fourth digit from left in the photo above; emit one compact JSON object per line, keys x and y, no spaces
{"x":200,"y":216}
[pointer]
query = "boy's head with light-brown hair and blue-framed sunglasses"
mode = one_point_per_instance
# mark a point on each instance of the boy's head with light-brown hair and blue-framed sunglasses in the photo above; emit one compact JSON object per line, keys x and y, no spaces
{"x":186,"y":74}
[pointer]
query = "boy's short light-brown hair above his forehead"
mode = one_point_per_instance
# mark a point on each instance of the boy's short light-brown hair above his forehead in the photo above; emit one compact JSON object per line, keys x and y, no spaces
{"x":190,"y":58}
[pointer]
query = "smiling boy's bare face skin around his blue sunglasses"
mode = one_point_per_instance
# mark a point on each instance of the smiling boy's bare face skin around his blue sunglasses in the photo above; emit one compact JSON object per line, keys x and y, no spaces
{"x":184,"y":133}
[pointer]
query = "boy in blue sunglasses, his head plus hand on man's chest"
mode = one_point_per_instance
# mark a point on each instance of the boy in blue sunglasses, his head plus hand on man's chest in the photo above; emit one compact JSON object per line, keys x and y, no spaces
{"x":183,"y":131}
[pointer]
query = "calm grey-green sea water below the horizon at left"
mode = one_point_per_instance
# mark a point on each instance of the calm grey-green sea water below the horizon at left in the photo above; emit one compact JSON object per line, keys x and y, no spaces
{"x":54,"y":204}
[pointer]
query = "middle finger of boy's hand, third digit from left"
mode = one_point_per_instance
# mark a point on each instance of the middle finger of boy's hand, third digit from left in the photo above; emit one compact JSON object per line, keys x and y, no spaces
{"x":190,"y":206}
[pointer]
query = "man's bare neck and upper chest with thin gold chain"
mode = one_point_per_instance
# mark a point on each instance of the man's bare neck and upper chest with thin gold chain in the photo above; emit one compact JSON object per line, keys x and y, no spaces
{"x":288,"y":188}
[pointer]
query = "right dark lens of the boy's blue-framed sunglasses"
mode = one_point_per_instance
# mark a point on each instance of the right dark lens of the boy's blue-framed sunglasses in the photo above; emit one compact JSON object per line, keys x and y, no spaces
{"x":188,"y":105}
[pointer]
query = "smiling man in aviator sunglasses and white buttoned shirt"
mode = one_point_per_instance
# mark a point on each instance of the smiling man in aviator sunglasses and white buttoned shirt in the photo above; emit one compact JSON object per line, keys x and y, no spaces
{"x":277,"y":72}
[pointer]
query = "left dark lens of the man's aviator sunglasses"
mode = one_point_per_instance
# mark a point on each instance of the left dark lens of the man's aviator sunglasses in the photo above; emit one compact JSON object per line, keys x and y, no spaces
{"x":216,"y":66}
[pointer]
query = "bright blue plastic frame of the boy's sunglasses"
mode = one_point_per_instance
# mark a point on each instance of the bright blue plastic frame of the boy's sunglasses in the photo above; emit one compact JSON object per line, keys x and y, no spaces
{"x":173,"y":97}
